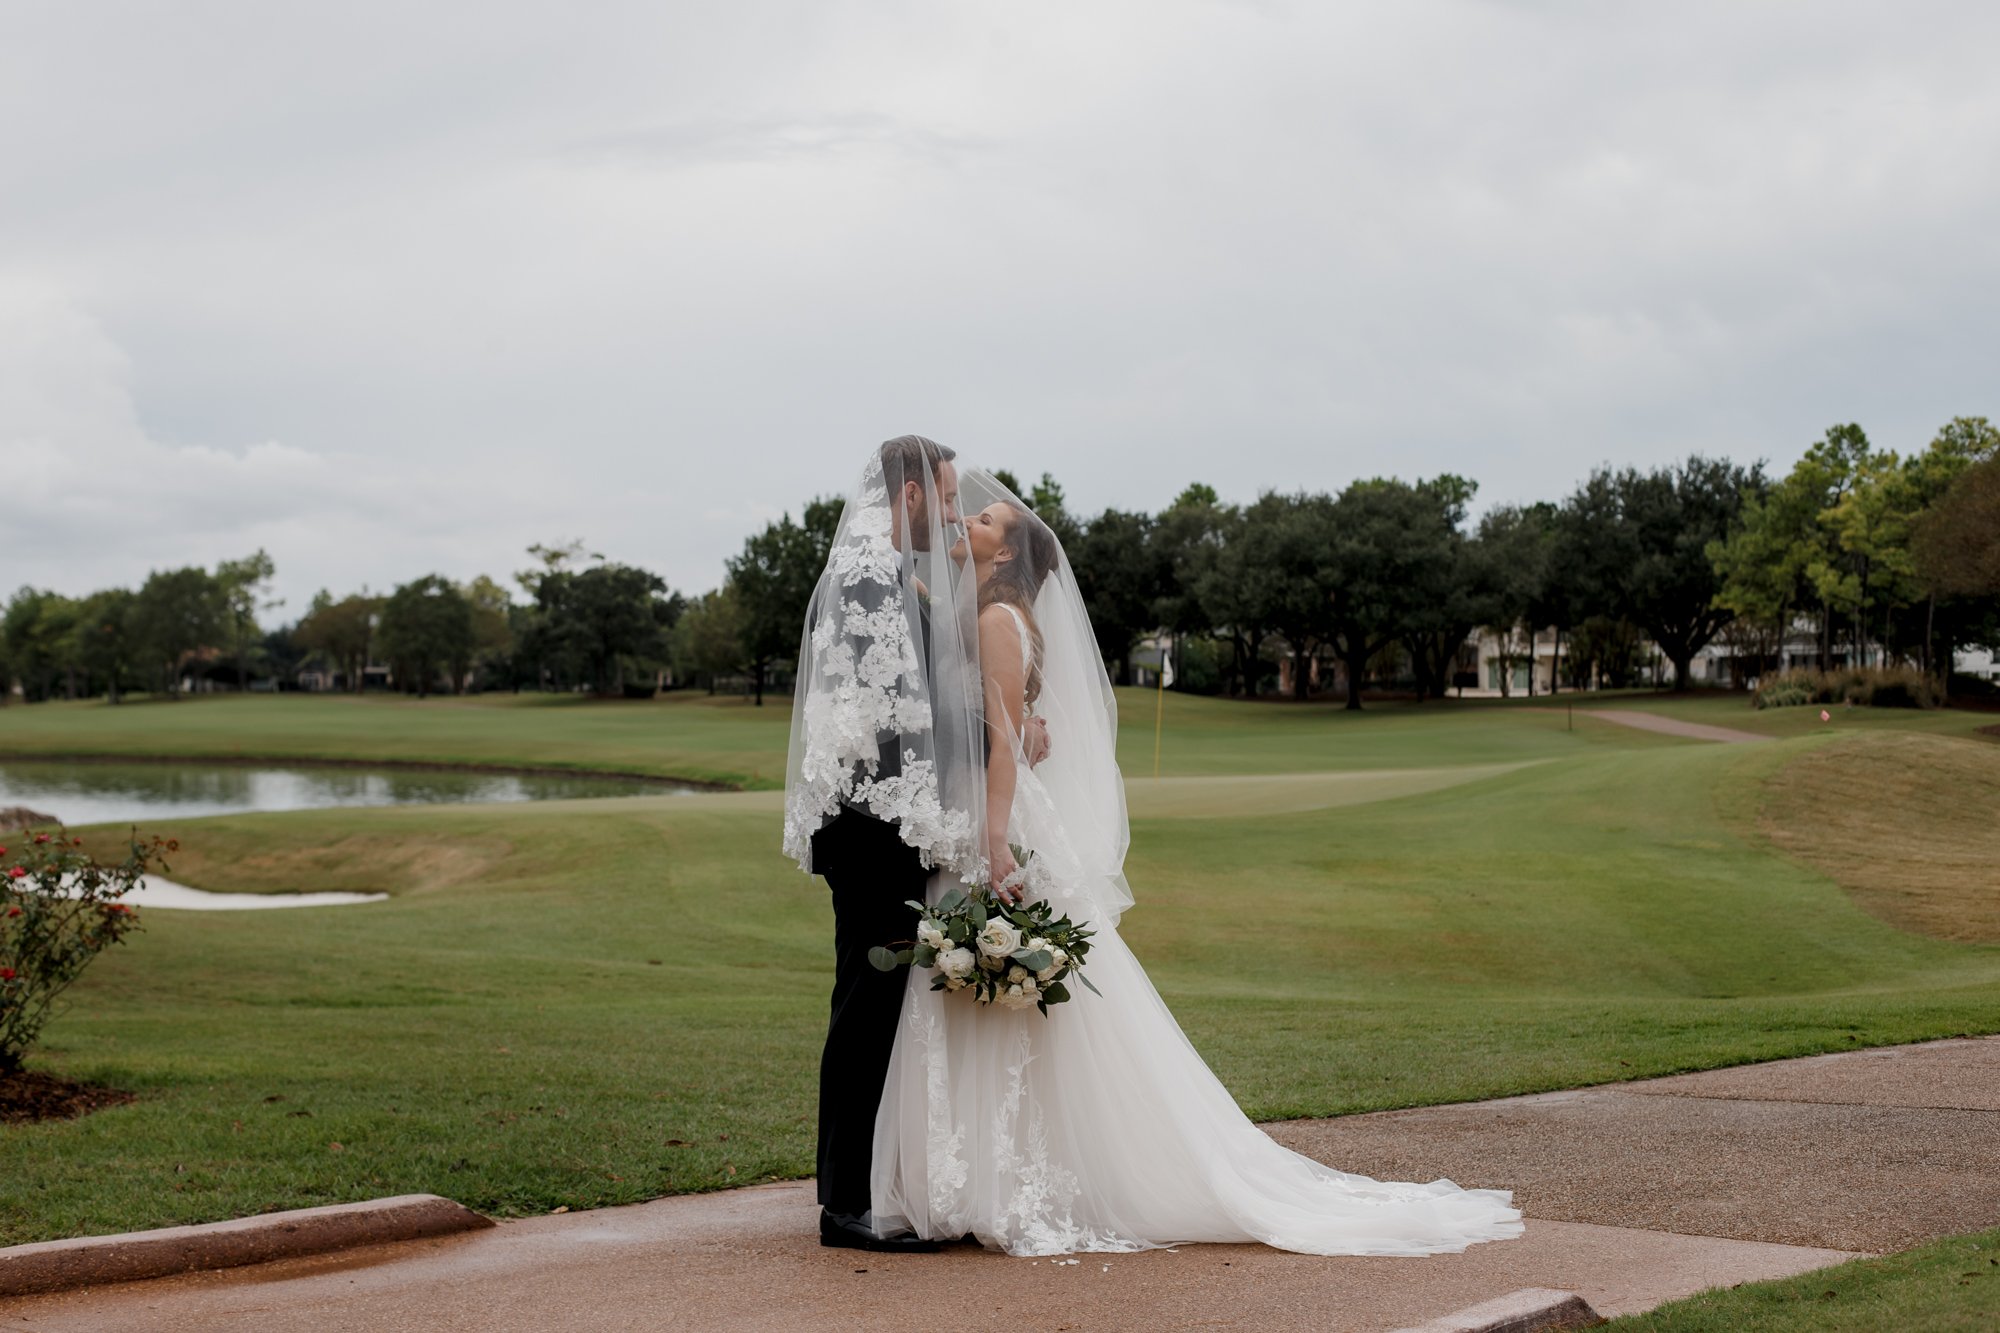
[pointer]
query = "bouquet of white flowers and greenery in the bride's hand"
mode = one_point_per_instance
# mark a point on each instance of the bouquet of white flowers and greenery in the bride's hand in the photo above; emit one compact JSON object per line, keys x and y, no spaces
{"x":1011,"y":956}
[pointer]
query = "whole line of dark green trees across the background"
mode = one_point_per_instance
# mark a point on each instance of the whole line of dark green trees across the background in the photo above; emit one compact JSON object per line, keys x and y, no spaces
{"x":1881,"y":557}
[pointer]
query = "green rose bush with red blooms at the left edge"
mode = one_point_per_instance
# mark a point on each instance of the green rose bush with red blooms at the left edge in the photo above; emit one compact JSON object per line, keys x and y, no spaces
{"x":59,"y":910}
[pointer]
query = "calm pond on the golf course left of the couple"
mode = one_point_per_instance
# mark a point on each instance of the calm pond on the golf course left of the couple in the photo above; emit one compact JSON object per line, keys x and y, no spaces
{"x":101,"y":794}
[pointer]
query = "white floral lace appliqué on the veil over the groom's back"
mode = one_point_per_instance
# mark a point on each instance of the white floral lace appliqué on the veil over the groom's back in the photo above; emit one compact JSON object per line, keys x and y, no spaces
{"x":871,"y":682}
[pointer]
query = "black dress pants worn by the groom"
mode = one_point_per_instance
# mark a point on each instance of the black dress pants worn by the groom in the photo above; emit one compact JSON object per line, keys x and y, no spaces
{"x":871,"y":874}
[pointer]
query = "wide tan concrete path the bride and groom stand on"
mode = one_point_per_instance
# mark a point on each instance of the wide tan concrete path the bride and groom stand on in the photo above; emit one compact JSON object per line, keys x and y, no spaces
{"x":1637,"y":1194}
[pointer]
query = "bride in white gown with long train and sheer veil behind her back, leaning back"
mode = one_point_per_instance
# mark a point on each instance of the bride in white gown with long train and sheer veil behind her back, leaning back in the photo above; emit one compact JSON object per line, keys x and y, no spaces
{"x":1097,"y":1128}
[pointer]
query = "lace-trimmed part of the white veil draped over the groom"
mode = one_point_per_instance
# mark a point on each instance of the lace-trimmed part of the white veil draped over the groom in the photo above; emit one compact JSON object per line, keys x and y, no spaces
{"x":887,"y":716}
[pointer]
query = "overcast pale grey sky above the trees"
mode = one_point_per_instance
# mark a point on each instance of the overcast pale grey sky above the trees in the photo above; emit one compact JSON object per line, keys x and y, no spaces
{"x":393,"y":289}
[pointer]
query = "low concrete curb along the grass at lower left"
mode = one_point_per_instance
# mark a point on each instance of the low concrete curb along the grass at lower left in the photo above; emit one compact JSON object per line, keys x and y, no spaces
{"x":133,"y":1256}
